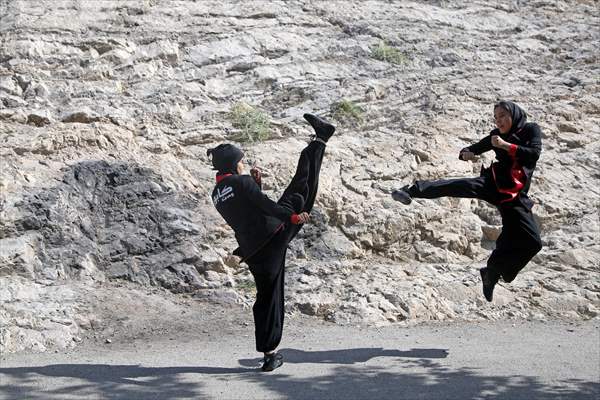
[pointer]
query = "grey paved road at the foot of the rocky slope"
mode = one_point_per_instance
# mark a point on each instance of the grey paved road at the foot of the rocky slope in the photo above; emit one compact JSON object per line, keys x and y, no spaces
{"x":523,"y":360}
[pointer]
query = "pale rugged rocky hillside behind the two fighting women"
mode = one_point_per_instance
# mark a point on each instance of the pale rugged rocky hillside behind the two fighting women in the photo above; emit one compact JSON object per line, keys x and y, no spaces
{"x":107,"y":109}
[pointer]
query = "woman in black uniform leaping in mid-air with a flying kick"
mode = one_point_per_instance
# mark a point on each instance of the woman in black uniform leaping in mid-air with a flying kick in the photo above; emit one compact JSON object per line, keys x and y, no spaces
{"x":505,"y":184}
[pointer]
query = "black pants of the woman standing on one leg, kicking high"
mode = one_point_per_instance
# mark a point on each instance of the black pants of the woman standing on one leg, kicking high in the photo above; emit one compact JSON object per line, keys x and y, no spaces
{"x":268,"y":264}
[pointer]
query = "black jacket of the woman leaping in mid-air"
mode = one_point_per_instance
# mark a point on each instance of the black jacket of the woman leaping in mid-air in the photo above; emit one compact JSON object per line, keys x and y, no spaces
{"x":529,"y":148}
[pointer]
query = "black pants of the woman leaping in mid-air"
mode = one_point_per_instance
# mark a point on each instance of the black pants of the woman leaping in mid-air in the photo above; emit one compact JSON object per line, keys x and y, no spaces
{"x":520,"y":238}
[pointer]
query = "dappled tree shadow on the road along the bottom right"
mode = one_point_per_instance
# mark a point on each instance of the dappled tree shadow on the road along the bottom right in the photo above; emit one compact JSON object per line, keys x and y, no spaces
{"x":421,"y":379}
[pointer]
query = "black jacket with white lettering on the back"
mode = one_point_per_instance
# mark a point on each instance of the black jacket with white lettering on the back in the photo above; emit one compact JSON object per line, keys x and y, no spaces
{"x":251,"y":214}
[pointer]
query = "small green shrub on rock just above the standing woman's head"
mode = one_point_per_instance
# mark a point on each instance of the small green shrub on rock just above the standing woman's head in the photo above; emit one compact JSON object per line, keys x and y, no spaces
{"x":253,"y":124}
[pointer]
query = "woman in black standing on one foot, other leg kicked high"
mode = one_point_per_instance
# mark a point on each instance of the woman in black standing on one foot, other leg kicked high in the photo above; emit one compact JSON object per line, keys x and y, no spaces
{"x":263,"y":228}
